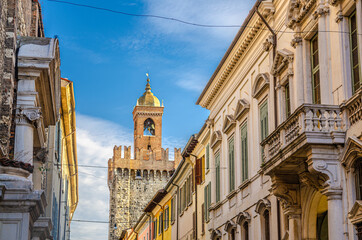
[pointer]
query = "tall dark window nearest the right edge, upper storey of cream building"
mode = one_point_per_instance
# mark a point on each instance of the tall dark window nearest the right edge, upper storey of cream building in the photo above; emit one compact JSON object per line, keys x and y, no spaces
{"x":355,"y":61}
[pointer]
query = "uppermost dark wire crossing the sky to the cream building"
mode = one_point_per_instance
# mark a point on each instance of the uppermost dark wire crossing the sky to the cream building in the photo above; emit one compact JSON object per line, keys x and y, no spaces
{"x":190,"y":23}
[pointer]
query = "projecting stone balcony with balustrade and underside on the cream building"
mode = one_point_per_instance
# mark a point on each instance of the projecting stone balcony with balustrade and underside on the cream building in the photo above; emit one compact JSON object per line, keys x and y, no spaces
{"x":310,"y":125}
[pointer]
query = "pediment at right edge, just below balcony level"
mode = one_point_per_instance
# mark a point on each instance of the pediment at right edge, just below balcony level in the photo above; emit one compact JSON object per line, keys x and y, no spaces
{"x":353,"y":150}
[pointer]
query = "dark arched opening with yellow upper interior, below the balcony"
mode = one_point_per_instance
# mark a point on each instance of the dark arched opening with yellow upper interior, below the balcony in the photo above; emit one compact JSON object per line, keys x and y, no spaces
{"x":322,"y":219}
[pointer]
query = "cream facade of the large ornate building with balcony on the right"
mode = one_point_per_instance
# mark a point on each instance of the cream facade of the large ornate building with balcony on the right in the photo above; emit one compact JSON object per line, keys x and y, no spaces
{"x":285,"y":124}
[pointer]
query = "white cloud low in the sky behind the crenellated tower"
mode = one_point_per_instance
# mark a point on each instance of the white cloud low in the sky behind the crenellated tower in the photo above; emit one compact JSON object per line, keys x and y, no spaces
{"x":95,"y":141}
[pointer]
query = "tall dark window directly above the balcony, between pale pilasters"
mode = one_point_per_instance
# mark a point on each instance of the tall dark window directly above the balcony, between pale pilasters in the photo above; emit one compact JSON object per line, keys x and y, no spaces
{"x":315,"y":70}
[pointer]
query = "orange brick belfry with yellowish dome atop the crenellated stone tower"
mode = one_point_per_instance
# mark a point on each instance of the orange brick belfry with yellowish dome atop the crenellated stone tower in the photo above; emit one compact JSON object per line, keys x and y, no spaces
{"x":147,"y":119}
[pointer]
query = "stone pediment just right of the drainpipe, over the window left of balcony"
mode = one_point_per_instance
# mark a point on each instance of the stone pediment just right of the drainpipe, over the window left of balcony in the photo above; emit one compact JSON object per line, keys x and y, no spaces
{"x":283,"y":59}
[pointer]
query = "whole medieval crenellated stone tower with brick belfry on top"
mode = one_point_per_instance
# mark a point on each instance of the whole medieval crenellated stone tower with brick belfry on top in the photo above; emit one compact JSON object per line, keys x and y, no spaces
{"x":133,"y":182}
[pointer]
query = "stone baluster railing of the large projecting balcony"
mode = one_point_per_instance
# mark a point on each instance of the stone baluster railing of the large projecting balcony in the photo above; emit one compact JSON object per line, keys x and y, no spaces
{"x":317,"y":123}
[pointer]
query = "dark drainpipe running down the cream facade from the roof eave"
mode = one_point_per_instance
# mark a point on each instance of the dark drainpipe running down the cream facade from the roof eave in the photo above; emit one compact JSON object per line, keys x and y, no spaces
{"x":275,"y":100}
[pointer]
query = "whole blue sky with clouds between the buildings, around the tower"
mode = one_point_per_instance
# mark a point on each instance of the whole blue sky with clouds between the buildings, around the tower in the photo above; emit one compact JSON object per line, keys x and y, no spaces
{"x":107,"y":56}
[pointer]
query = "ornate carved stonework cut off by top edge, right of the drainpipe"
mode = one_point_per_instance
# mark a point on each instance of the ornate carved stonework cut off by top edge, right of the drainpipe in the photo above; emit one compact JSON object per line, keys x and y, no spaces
{"x":297,"y":10}
